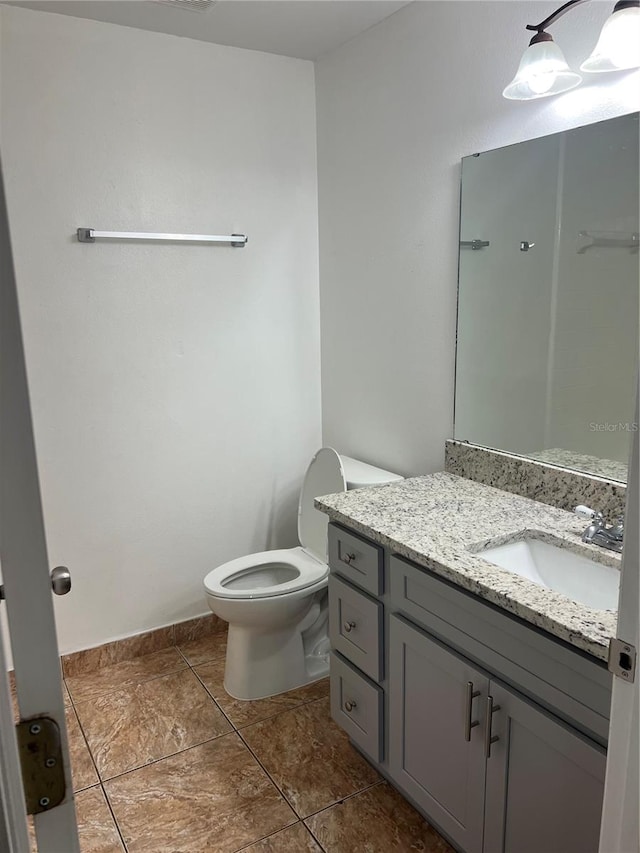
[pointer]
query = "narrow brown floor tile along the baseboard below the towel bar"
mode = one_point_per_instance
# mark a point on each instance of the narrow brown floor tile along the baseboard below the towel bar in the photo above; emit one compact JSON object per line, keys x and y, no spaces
{"x":99,"y":682}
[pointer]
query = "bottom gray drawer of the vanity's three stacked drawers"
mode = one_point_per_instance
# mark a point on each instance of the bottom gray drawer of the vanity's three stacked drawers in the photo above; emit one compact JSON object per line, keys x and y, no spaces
{"x":356,"y":706}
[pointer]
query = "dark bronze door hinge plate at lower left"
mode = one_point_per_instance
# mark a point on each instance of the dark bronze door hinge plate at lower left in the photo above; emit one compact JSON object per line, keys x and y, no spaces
{"x":41,"y":761}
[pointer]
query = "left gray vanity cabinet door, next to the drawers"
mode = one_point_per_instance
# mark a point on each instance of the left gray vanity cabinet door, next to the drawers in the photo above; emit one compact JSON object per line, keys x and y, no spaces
{"x":430,"y":709}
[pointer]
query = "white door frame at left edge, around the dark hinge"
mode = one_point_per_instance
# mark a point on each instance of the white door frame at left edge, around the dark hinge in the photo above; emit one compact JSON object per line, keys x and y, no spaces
{"x":28,"y":604}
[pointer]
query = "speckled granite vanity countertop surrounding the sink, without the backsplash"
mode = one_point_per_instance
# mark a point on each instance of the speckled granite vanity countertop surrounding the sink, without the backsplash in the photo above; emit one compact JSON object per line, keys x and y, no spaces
{"x":441,"y":521}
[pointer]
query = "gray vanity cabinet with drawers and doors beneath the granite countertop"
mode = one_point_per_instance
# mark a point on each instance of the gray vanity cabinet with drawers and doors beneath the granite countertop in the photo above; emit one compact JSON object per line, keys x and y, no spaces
{"x":494,"y":730}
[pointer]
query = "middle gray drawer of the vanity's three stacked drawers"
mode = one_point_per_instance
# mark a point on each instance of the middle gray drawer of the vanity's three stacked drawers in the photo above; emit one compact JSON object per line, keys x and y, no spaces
{"x":355,"y":626}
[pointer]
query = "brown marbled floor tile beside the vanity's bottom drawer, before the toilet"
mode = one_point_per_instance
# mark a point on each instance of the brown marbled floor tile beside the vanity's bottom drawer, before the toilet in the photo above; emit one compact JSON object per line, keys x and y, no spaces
{"x":309,"y":757}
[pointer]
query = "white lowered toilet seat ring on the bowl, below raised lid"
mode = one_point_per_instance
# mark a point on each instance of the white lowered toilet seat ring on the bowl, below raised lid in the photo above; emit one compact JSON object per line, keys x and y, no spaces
{"x":266,"y":574}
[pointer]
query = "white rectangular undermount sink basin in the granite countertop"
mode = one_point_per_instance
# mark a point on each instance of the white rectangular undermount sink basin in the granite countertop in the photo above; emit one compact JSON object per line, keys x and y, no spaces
{"x":573,"y":575}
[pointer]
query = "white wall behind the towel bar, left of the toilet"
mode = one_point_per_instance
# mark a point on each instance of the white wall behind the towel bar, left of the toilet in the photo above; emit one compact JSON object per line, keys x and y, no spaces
{"x":175,"y":388}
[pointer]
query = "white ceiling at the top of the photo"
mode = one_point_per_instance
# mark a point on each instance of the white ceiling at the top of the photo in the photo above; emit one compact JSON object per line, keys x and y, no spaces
{"x":305,"y":29}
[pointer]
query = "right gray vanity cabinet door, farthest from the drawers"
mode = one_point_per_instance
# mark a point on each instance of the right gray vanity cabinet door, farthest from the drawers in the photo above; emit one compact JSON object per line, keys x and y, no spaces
{"x":545,"y":782}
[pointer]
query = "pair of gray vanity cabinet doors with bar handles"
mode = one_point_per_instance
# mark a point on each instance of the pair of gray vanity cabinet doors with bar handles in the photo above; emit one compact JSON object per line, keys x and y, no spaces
{"x":524,"y":783}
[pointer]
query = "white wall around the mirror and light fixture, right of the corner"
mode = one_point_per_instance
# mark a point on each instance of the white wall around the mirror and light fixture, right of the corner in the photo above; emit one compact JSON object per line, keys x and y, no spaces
{"x":397,"y":109}
